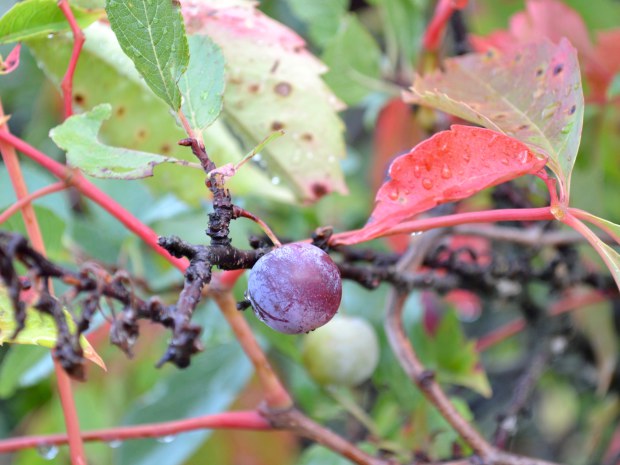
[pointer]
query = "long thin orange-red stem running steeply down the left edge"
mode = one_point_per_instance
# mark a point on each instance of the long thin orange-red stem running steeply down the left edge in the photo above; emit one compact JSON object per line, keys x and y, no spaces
{"x":11,"y":161}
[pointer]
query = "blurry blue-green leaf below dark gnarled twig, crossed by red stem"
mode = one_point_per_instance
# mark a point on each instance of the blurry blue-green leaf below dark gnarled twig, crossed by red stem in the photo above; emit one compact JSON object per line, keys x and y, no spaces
{"x":209,"y":386}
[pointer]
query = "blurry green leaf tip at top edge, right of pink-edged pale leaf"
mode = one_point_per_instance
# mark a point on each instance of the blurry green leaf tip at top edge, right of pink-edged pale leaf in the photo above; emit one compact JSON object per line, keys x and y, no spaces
{"x":322,"y":17}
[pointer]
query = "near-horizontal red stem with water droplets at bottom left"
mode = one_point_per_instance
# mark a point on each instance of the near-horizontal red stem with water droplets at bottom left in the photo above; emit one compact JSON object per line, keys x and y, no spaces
{"x":247,"y":420}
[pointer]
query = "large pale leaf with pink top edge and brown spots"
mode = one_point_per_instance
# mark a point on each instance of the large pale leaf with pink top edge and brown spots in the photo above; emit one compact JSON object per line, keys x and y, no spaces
{"x":273,"y":84}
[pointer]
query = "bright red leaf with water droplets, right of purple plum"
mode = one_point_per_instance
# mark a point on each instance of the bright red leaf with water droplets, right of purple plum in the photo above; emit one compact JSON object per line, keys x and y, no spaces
{"x":451,"y":165}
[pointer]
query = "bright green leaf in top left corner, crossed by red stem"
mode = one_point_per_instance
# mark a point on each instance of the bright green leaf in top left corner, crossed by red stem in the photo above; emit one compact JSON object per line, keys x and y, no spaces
{"x":38,"y":18}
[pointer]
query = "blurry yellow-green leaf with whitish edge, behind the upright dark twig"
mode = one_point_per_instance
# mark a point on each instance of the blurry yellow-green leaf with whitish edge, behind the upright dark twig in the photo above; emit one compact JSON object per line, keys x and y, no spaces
{"x":141,"y":120}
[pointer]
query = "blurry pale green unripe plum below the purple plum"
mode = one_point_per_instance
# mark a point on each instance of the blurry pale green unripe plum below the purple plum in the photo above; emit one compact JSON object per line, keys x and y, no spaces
{"x":344,"y":352}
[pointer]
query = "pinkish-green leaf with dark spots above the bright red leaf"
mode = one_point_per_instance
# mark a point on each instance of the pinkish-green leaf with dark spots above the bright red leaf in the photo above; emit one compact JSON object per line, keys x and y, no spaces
{"x":533,"y":94}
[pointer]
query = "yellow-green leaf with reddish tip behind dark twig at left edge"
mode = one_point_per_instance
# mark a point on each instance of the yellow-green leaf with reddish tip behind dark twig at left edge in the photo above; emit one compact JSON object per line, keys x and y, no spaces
{"x":40,"y":328}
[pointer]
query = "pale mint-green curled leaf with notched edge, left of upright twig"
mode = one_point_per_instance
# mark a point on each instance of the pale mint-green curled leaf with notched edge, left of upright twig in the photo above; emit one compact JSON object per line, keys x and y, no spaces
{"x":78,"y":136}
